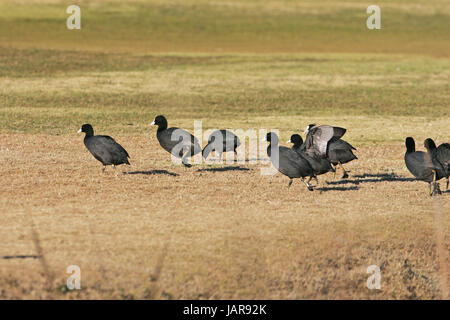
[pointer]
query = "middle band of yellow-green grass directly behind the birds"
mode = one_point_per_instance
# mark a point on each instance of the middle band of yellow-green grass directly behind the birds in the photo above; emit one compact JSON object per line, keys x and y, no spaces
{"x":54,"y":92}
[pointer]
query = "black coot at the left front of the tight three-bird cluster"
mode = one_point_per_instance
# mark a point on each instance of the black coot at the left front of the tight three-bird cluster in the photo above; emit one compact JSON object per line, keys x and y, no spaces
{"x":288,"y":162}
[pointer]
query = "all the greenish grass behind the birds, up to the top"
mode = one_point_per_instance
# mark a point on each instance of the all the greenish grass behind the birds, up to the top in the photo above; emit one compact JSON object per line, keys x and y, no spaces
{"x":116,"y":71}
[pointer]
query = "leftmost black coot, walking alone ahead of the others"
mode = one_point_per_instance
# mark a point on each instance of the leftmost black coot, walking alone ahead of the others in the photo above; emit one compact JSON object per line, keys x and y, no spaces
{"x":104,"y":148}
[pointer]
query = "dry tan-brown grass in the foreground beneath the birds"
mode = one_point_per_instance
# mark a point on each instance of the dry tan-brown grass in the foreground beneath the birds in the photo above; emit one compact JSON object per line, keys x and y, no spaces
{"x":231,"y":234}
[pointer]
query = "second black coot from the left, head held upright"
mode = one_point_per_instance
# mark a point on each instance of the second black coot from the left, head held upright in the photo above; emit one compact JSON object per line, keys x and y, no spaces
{"x":178,"y":142}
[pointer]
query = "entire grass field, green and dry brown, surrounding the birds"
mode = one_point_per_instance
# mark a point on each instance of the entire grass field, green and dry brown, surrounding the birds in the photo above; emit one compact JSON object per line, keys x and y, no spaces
{"x":157,"y":230}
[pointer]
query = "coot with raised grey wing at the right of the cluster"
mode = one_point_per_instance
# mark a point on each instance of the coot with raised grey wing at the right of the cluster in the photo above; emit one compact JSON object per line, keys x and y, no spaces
{"x":338,"y":151}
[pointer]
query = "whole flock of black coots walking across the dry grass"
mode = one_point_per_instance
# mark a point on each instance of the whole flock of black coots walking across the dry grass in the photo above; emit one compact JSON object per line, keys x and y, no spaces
{"x":322,"y":149}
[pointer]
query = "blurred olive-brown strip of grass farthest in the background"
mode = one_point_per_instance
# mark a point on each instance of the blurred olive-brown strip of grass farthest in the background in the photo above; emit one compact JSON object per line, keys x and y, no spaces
{"x":231,"y":26}
